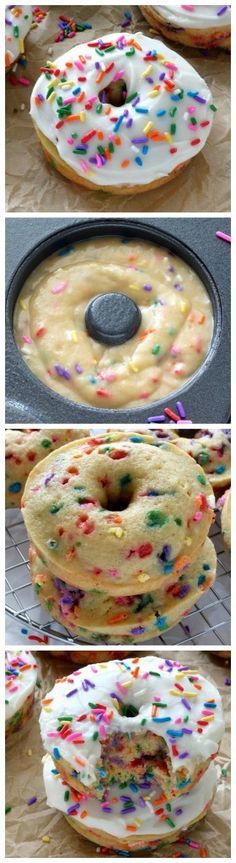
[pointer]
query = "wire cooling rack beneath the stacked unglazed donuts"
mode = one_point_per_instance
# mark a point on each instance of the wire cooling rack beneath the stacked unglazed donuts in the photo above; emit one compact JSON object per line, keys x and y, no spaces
{"x":207,"y":623}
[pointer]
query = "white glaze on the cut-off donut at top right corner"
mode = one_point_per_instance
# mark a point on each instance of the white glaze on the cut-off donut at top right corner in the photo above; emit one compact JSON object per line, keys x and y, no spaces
{"x":195,"y":16}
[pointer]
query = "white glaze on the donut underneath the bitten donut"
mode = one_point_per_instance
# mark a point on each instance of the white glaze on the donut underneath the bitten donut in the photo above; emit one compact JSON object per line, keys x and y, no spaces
{"x":191,"y":804}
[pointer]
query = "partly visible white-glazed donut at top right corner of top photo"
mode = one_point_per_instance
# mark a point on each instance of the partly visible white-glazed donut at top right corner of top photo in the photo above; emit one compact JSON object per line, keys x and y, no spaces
{"x":199,"y":26}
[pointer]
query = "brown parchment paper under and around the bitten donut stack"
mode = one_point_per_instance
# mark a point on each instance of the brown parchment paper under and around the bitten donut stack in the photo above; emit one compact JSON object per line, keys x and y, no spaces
{"x":26,"y":825}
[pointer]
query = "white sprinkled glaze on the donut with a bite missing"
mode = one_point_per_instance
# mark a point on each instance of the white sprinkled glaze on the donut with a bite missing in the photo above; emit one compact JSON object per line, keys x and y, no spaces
{"x":140,"y":692}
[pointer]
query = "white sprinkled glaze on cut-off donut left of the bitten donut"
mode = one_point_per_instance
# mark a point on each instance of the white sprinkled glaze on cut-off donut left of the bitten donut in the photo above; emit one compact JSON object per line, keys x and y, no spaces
{"x":22,"y":684}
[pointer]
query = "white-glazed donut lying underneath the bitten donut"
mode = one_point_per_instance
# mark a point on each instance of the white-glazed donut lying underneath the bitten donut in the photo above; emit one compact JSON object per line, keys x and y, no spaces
{"x":108,"y":825}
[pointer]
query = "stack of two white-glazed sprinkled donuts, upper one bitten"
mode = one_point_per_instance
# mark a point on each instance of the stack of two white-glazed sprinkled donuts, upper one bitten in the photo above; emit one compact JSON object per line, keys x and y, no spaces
{"x":129,"y":749}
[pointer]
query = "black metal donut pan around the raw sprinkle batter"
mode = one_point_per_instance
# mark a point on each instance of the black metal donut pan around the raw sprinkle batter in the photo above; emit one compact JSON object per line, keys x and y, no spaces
{"x":206,"y":398}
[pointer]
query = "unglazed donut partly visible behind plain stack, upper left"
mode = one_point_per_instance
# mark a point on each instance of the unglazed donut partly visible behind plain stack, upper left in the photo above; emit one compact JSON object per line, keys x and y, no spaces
{"x":25,"y":448}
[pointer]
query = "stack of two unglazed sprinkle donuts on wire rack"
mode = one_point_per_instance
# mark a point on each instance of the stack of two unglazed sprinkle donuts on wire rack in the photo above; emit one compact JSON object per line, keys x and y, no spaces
{"x":118,"y":526}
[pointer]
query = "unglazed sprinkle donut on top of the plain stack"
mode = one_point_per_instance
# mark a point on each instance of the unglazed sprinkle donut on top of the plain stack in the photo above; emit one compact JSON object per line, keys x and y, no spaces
{"x":118,"y":512}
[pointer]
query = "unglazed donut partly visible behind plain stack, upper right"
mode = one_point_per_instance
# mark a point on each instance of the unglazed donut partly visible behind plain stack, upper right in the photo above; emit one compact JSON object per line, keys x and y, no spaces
{"x":211,"y":450}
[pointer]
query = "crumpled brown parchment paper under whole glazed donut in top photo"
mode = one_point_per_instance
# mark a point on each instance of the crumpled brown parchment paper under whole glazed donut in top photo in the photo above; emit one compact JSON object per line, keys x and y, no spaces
{"x":33,"y":186}
